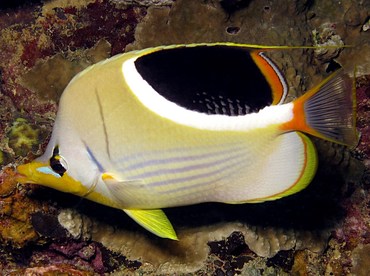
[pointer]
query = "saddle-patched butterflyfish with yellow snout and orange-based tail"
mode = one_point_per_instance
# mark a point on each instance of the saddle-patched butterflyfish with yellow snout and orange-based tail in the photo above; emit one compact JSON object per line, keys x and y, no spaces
{"x":185,"y":124}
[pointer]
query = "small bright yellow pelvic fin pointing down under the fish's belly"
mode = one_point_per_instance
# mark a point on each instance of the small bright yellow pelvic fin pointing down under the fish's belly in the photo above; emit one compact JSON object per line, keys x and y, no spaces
{"x":154,"y":221}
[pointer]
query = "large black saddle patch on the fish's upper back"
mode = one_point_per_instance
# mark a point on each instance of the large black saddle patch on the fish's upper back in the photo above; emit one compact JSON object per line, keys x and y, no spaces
{"x":209,"y":79}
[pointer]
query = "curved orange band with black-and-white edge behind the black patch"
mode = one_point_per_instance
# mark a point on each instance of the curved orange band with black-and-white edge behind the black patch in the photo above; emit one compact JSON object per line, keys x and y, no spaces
{"x":273,"y":76}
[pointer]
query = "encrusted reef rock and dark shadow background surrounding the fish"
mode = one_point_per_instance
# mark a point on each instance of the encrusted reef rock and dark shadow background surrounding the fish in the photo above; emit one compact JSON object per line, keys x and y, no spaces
{"x":324,"y":230}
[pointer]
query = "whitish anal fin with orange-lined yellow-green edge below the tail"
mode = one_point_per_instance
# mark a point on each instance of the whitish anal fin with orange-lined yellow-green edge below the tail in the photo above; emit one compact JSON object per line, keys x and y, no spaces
{"x":287,"y":169}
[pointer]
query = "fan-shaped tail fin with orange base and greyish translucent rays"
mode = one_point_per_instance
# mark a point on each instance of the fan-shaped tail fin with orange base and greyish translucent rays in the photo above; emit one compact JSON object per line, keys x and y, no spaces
{"x":329,"y":110}
